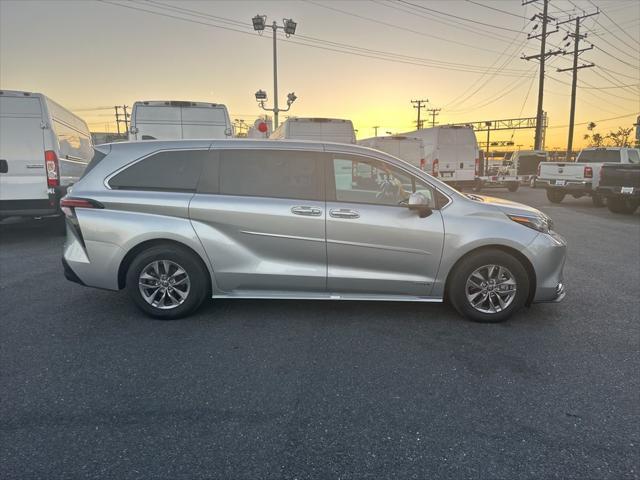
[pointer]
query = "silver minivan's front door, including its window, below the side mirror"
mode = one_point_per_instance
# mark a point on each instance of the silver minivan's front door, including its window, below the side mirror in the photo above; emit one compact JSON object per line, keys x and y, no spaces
{"x":375,"y":244}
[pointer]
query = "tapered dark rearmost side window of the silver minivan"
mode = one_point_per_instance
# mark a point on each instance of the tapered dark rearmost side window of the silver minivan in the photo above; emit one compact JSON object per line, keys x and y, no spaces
{"x":174,"y":171}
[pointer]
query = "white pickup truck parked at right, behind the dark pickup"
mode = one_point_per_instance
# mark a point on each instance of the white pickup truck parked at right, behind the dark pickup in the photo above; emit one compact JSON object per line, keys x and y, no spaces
{"x":580,"y":178}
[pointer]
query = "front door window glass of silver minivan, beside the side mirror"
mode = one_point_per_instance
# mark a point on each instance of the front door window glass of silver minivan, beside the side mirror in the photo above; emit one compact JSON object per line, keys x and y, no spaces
{"x":363,"y":180}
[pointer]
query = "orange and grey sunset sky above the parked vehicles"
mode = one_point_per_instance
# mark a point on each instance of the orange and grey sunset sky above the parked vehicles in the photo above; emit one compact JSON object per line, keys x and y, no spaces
{"x":464,"y":56}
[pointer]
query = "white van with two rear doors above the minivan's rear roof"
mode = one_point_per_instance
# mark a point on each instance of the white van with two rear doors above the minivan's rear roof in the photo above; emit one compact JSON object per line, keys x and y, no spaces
{"x":176,"y":120}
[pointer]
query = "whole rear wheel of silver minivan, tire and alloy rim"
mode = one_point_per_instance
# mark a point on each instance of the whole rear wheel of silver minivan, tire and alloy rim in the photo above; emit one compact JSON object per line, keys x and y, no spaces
{"x":167,"y":282}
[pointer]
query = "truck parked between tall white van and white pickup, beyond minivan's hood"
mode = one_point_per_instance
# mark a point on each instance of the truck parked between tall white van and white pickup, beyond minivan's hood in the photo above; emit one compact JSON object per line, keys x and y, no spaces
{"x":519,"y":169}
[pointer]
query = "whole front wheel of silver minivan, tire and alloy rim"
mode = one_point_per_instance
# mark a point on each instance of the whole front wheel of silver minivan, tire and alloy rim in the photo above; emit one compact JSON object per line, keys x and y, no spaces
{"x":488,"y":286}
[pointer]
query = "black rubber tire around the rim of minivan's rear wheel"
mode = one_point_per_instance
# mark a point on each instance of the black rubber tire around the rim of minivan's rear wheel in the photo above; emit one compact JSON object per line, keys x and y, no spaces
{"x":196,"y":273}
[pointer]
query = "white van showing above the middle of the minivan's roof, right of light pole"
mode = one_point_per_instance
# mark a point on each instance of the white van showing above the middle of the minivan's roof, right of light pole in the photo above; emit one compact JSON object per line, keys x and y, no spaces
{"x":318,"y":129}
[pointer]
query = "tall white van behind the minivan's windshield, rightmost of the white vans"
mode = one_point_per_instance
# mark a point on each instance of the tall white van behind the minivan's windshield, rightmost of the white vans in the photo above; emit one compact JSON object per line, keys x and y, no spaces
{"x":450,"y":152}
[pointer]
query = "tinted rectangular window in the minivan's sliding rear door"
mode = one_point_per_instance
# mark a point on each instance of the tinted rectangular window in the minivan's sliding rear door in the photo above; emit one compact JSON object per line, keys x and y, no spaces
{"x":278,"y":174}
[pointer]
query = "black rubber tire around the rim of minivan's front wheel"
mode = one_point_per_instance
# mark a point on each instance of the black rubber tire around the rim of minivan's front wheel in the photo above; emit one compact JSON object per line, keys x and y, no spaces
{"x":456,"y":286}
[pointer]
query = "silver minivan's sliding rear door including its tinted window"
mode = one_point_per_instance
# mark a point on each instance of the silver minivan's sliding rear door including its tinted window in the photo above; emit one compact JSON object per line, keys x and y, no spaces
{"x":260,"y":215}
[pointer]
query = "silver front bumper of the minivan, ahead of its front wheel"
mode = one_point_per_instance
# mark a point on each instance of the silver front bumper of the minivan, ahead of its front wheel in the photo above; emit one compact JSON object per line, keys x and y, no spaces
{"x":548,"y":253}
